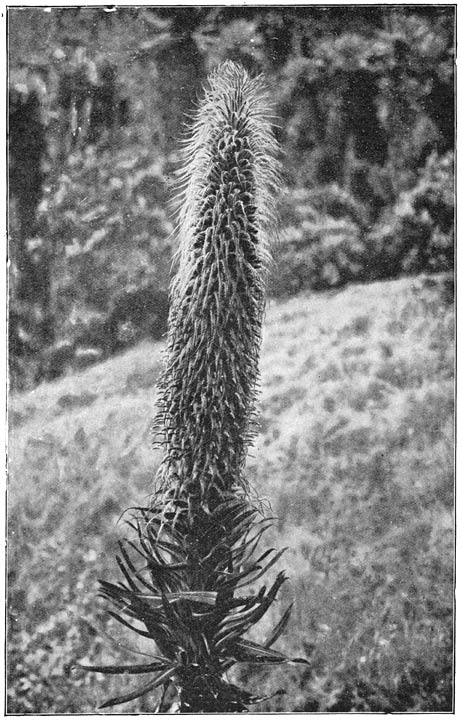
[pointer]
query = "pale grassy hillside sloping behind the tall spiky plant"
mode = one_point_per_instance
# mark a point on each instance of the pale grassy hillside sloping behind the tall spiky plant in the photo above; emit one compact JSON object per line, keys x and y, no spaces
{"x":355,"y":457}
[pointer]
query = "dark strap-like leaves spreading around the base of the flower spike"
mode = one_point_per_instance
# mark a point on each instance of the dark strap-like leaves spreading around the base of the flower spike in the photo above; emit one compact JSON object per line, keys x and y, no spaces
{"x":184,"y":587}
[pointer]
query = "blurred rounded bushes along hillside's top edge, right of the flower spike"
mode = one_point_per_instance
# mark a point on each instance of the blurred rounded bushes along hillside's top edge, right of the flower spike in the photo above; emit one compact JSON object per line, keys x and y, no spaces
{"x":328,"y":241}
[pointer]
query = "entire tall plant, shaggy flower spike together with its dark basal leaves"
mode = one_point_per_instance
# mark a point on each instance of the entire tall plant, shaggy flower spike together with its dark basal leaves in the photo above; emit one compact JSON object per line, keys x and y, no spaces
{"x":190,"y":572}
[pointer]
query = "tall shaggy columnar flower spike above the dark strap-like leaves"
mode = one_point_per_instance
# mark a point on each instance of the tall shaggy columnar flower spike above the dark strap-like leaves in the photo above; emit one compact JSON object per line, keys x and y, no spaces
{"x":226,"y":219}
